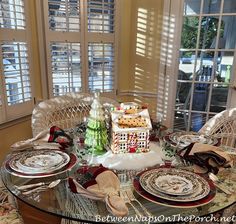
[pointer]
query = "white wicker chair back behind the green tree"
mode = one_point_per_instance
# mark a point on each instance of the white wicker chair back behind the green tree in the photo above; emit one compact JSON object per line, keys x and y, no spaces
{"x":64,"y":111}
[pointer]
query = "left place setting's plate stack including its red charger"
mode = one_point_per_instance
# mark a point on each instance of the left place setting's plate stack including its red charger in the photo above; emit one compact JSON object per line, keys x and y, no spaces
{"x":40,"y":163}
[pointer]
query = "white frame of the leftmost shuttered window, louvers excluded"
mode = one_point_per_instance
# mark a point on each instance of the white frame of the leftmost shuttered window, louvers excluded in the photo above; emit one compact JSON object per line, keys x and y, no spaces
{"x":19,"y":110}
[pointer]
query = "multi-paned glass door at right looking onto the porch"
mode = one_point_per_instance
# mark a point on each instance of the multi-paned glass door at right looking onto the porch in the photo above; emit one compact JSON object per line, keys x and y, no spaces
{"x":203,"y":64}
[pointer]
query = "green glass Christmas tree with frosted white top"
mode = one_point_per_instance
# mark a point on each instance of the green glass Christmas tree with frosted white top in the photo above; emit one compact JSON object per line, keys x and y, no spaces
{"x":96,"y":133}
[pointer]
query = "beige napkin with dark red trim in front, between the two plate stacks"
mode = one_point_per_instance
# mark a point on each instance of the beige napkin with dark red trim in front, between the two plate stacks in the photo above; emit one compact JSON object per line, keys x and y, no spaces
{"x":103,"y":185}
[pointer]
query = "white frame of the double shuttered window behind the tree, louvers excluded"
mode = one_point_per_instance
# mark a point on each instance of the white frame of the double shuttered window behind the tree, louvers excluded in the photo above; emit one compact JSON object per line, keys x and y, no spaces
{"x":82,"y":37}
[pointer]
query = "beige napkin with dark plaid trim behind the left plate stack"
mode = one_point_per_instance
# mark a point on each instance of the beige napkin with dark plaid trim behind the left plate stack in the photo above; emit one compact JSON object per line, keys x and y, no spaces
{"x":53,"y":138}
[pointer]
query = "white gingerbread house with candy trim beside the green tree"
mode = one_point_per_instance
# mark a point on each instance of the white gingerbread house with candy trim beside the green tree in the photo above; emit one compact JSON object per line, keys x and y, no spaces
{"x":130,"y":129}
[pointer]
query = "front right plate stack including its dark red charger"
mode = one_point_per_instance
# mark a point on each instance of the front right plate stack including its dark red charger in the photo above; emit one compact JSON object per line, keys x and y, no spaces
{"x":174,"y":187}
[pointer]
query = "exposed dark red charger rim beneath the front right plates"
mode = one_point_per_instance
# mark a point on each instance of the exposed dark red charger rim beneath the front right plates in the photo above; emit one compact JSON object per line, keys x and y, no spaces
{"x":170,"y":203}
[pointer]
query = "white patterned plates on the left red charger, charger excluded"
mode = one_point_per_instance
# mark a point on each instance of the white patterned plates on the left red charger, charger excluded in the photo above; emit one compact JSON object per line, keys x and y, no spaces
{"x":42,"y":161}
